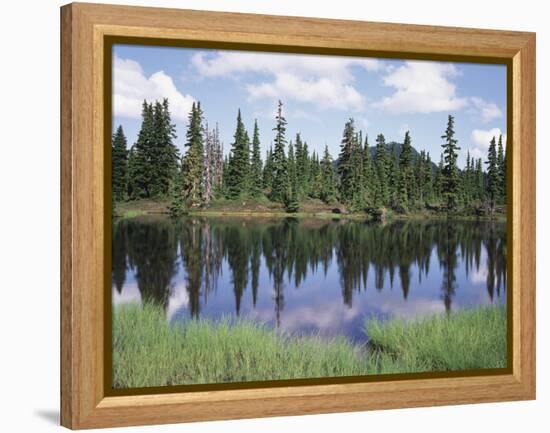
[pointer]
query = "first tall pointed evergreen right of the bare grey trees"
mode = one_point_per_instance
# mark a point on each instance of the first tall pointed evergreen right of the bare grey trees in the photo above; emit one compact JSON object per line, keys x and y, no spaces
{"x":239,"y":162}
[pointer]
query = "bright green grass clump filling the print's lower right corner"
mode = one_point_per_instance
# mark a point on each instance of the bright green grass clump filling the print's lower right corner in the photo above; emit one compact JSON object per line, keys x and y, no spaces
{"x":464,"y":340}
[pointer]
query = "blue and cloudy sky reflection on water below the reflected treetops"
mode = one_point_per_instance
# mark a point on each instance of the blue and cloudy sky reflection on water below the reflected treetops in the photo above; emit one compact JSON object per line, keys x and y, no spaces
{"x":316,"y":306}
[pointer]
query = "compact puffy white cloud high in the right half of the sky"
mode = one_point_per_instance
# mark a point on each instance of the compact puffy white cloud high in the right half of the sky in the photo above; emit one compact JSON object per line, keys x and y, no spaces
{"x":422,"y":87}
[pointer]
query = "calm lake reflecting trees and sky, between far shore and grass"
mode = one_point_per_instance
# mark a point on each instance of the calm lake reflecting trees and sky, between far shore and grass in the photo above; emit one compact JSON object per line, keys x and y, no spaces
{"x":307,"y":276}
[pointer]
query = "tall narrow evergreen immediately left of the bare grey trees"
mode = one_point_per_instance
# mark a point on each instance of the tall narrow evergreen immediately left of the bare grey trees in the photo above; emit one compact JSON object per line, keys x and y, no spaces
{"x":192,"y":165}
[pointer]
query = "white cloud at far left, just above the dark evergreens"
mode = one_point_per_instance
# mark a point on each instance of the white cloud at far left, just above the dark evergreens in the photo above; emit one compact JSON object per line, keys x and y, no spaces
{"x":131,"y":87}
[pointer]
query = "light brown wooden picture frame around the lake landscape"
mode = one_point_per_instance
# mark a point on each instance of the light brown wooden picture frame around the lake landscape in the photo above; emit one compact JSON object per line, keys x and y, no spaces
{"x":85,"y":400}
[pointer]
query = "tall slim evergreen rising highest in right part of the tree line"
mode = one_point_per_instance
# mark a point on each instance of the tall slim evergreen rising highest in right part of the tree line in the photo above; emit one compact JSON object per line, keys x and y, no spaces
{"x":450,"y":179}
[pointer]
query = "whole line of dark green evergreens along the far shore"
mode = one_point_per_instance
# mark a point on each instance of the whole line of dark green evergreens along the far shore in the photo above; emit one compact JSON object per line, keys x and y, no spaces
{"x":386,"y":175}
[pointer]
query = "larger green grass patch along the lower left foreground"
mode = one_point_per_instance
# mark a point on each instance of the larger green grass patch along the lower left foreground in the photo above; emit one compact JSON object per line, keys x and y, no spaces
{"x":147,"y":351}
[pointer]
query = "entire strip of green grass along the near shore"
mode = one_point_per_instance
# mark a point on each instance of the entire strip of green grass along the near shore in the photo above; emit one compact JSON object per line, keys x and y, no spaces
{"x":147,"y":351}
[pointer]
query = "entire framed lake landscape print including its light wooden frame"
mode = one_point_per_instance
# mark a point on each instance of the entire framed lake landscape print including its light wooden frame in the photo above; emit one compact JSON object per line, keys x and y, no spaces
{"x":266,"y":215}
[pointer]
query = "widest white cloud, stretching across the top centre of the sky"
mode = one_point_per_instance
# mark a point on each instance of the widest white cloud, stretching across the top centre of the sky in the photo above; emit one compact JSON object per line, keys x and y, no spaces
{"x":326,"y":82}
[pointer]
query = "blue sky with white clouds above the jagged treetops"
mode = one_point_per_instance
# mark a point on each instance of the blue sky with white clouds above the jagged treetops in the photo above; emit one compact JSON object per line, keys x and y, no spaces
{"x":319,"y":93}
